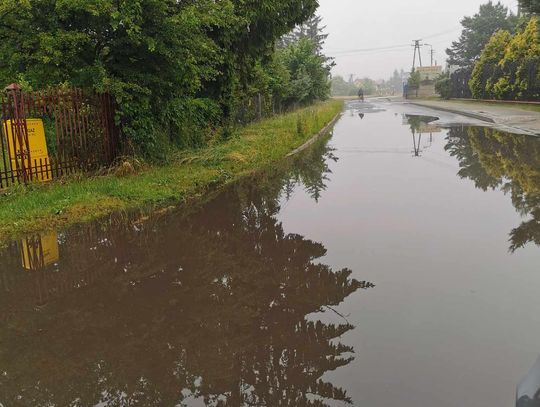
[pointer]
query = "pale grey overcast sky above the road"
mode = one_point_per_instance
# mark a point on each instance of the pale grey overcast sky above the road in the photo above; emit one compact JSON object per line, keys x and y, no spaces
{"x":367,"y":24}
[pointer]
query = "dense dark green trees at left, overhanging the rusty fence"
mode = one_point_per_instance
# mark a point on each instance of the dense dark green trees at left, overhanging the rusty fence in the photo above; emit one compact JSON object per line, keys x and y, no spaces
{"x":177,"y":69}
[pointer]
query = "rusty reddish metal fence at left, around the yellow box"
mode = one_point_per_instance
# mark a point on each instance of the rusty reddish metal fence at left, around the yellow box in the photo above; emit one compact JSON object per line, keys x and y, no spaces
{"x":51,"y":133}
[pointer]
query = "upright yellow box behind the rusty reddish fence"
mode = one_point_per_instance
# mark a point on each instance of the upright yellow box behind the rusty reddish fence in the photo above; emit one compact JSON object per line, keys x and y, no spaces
{"x":39,"y":155}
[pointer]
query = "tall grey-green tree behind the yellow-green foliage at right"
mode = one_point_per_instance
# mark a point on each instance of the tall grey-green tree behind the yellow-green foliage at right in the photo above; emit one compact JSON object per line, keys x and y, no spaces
{"x":477,"y":30}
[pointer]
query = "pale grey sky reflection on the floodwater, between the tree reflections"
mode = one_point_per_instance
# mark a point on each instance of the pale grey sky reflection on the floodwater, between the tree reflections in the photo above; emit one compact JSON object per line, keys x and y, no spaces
{"x":440,"y":326}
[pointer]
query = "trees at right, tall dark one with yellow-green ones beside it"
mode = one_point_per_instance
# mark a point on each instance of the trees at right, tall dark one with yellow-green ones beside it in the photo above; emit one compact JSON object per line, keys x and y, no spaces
{"x":497,"y":55}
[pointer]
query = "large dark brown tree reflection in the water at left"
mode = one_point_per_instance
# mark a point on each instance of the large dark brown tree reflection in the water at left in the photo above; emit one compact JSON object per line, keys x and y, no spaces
{"x":214,"y":305}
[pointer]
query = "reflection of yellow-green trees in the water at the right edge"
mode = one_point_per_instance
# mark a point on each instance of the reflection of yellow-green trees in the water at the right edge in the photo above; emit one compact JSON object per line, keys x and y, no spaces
{"x":493,"y":159}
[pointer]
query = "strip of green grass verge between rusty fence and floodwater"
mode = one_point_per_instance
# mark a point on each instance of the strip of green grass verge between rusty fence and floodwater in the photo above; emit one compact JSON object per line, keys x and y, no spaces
{"x":190,"y":174}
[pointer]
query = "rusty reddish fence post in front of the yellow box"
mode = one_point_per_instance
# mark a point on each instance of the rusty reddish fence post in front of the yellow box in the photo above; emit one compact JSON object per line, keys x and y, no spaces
{"x":19,"y":155}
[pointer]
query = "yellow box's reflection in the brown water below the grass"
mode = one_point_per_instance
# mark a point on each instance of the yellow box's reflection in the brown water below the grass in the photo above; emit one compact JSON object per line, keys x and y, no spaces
{"x":40,"y":251}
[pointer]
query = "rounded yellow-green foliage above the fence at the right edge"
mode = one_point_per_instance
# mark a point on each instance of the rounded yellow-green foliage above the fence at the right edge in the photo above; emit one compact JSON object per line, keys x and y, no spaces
{"x":508,"y":67}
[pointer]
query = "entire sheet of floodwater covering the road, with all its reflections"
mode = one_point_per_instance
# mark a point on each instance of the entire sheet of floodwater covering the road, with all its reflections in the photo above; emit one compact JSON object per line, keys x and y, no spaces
{"x":393,"y":264}
